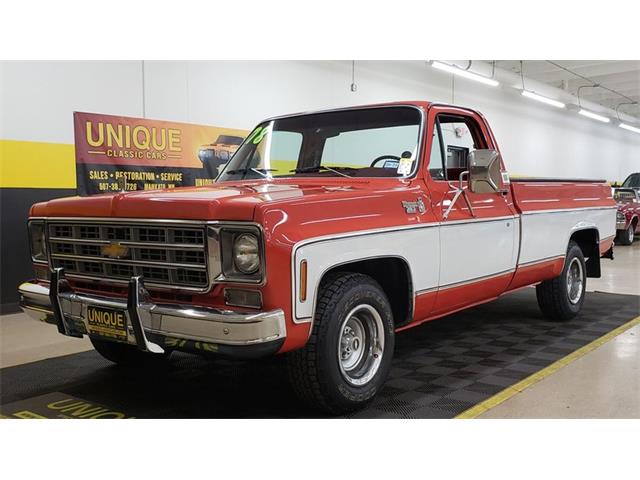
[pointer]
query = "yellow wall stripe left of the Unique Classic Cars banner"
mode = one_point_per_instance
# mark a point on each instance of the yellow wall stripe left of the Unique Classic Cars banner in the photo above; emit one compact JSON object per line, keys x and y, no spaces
{"x":37,"y":165}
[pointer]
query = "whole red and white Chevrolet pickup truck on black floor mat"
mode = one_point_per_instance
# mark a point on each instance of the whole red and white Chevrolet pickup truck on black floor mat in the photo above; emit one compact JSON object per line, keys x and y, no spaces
{"x":324,"y":235}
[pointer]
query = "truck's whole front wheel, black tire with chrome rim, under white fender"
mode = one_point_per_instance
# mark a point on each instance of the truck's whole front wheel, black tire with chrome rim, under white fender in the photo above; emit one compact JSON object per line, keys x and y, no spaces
{"x":348,"y":355}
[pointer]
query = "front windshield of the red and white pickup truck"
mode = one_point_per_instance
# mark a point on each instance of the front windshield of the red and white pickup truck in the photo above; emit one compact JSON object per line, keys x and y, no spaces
{"x":375,"y":142}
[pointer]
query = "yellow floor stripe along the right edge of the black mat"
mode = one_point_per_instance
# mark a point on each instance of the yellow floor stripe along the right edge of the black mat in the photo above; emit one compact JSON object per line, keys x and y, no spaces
{"x":509,"y":392}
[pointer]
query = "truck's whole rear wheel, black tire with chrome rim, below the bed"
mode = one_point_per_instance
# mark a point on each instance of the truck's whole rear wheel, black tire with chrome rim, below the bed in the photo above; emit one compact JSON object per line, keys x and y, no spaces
{"x":561,"y":298}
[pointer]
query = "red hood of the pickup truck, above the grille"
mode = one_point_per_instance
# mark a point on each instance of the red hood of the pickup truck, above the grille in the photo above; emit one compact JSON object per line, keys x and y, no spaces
{"x":228,"y":201}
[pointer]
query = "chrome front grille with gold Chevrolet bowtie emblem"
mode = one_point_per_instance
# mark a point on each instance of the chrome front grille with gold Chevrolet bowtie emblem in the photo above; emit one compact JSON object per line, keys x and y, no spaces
{"x":164,"y":254}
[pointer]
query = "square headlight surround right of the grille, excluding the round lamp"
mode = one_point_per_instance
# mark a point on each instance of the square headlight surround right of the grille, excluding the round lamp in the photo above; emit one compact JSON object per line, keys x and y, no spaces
{"x":230,"y":270}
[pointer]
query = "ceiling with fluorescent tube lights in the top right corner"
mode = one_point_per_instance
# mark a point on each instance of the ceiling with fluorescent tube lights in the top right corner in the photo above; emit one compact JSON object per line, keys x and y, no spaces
{"x":621,"y":76}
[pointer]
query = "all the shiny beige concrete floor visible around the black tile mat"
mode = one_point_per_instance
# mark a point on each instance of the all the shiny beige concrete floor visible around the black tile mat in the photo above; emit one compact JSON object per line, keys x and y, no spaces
{"x":605,"y":383}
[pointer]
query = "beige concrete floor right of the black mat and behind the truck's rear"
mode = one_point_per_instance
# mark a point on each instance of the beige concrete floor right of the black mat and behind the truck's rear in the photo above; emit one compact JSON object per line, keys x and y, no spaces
{"x":605,"y":383}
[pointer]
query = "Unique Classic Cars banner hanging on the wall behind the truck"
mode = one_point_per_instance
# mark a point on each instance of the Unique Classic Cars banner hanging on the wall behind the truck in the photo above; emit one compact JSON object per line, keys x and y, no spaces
{"x":115,"y":153}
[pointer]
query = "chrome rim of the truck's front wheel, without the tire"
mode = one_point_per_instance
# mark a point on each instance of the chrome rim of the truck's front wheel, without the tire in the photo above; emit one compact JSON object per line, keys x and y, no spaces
{"x":361,"y":344}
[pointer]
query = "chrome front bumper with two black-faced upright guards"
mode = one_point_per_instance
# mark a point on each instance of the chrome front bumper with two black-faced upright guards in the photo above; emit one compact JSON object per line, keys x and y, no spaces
{"x":156,"y":327}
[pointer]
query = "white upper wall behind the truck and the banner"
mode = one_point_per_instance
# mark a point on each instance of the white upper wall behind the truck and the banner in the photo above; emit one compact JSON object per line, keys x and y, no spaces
{"x":37,"y":99}
